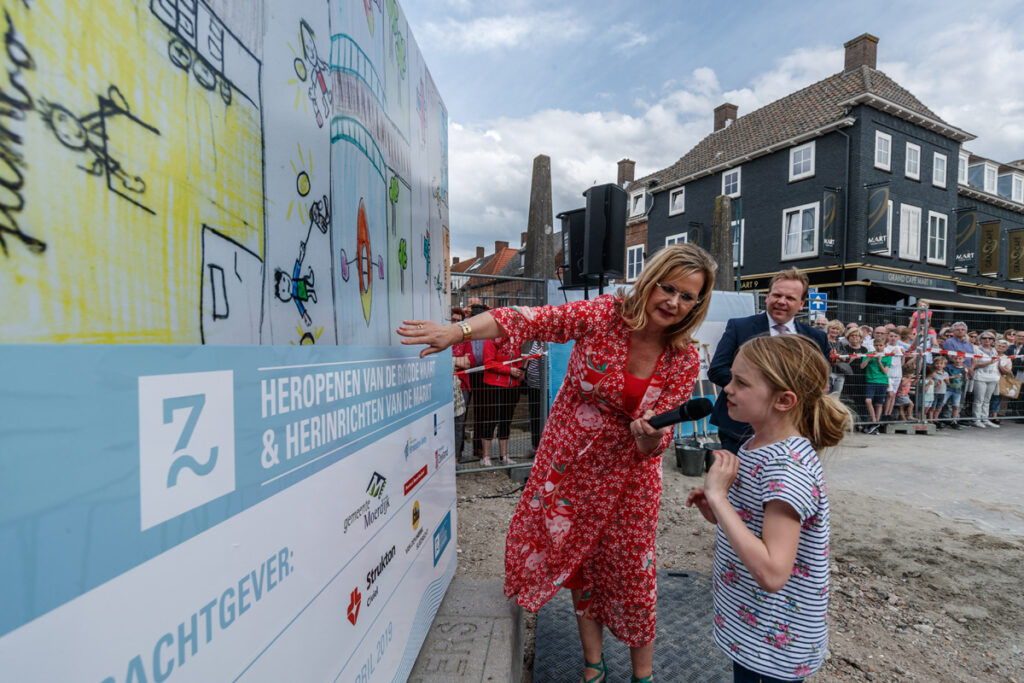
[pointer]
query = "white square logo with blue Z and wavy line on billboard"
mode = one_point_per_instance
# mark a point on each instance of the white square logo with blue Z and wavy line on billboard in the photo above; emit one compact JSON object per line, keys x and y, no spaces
{"x":187,"y":443}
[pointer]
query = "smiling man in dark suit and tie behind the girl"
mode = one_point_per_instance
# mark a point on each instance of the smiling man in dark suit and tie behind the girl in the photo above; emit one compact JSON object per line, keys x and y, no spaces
{"x":787,"y":296}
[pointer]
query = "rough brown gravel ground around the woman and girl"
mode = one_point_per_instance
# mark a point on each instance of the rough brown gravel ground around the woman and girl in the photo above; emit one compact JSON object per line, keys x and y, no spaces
{"x":916,"y":596}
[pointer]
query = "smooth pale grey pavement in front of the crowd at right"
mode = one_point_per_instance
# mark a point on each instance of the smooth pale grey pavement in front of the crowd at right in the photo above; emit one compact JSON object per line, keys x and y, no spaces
{"x":973,"y":476}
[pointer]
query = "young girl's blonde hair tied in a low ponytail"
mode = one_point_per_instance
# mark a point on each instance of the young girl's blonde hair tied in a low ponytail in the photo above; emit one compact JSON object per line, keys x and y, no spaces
{"x":794,"y":363}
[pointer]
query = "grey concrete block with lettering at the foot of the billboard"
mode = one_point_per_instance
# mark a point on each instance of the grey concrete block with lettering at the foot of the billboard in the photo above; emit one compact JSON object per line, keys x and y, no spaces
{"x":477,"y":636}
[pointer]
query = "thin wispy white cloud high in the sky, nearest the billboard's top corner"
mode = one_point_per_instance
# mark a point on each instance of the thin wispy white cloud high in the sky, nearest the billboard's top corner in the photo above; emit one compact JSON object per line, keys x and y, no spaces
{"x":498,"y":33}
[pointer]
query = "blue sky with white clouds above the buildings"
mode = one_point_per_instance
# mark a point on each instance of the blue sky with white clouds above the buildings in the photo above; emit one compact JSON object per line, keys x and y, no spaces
{"x":591,"y":82}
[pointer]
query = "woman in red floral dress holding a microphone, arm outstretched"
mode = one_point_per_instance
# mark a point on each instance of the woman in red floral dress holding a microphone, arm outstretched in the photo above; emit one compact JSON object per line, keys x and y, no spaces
{"x":588,"y":517}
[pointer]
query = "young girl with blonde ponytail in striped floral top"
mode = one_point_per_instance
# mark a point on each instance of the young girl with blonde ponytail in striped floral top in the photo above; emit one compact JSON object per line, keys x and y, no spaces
{"x":771,"y":504}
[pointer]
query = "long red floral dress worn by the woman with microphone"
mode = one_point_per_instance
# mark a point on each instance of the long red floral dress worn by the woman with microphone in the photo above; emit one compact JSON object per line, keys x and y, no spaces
{"x":592,"y":499}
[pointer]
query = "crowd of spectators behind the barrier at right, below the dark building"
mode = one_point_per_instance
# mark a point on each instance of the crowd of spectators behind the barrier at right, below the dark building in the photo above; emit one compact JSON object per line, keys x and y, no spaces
{"x":951,"y":375}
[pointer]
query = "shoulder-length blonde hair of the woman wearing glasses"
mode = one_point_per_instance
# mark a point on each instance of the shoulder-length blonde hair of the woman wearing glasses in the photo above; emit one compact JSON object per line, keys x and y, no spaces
{"x":672,"y":263}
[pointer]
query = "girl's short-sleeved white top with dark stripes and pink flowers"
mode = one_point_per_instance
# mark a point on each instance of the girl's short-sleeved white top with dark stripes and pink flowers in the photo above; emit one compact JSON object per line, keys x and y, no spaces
{"x":783,"y":634}
